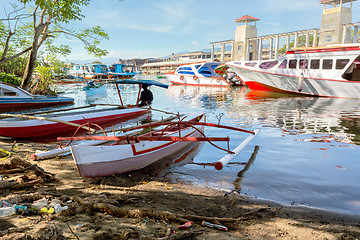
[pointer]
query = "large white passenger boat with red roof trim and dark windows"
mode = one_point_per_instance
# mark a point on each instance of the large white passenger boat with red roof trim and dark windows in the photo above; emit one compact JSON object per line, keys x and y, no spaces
{"x":330,"y":71}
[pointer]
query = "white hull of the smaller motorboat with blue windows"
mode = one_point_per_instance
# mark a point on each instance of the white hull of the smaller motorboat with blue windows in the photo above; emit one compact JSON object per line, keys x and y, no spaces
{"x":197,"y":80}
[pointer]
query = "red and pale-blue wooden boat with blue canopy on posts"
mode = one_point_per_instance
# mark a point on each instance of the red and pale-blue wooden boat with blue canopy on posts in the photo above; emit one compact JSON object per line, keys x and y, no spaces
{"x":32,"y":125}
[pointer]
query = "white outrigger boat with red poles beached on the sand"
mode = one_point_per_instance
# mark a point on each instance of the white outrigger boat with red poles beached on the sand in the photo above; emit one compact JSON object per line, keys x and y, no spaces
{"x":131,"y":153}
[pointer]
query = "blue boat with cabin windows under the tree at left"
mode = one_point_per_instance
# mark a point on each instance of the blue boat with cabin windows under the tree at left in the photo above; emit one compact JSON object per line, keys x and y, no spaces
{"x":15,"y":97}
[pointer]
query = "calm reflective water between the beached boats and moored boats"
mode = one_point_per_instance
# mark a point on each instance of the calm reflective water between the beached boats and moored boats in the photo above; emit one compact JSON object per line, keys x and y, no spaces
{"x":307,"y":152}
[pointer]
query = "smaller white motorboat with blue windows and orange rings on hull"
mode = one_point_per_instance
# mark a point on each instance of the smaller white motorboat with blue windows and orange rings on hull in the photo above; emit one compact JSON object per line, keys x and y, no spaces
{"x":198,"y":74}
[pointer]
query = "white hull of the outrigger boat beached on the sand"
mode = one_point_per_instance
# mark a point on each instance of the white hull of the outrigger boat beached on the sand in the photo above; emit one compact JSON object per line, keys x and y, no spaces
{"x":97,"y":161}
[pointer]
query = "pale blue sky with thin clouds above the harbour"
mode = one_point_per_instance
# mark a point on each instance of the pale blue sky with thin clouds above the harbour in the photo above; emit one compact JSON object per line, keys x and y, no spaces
{"x":158,"y":28}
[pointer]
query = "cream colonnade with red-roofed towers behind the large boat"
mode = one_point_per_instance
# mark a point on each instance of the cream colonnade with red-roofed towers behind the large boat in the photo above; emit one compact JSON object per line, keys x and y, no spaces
{"x":336,"y":28}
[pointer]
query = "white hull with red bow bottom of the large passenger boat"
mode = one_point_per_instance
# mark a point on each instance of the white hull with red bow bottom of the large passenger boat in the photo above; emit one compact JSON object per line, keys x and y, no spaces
{"x":266,"y":81}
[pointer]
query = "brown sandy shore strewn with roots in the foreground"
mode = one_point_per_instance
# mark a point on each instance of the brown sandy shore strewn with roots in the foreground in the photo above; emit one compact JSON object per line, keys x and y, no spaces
{"x":138,"y":205}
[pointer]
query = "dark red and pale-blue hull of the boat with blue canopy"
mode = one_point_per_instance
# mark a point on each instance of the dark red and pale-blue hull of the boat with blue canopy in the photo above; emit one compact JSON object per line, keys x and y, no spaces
{"x":35,"y":128}
